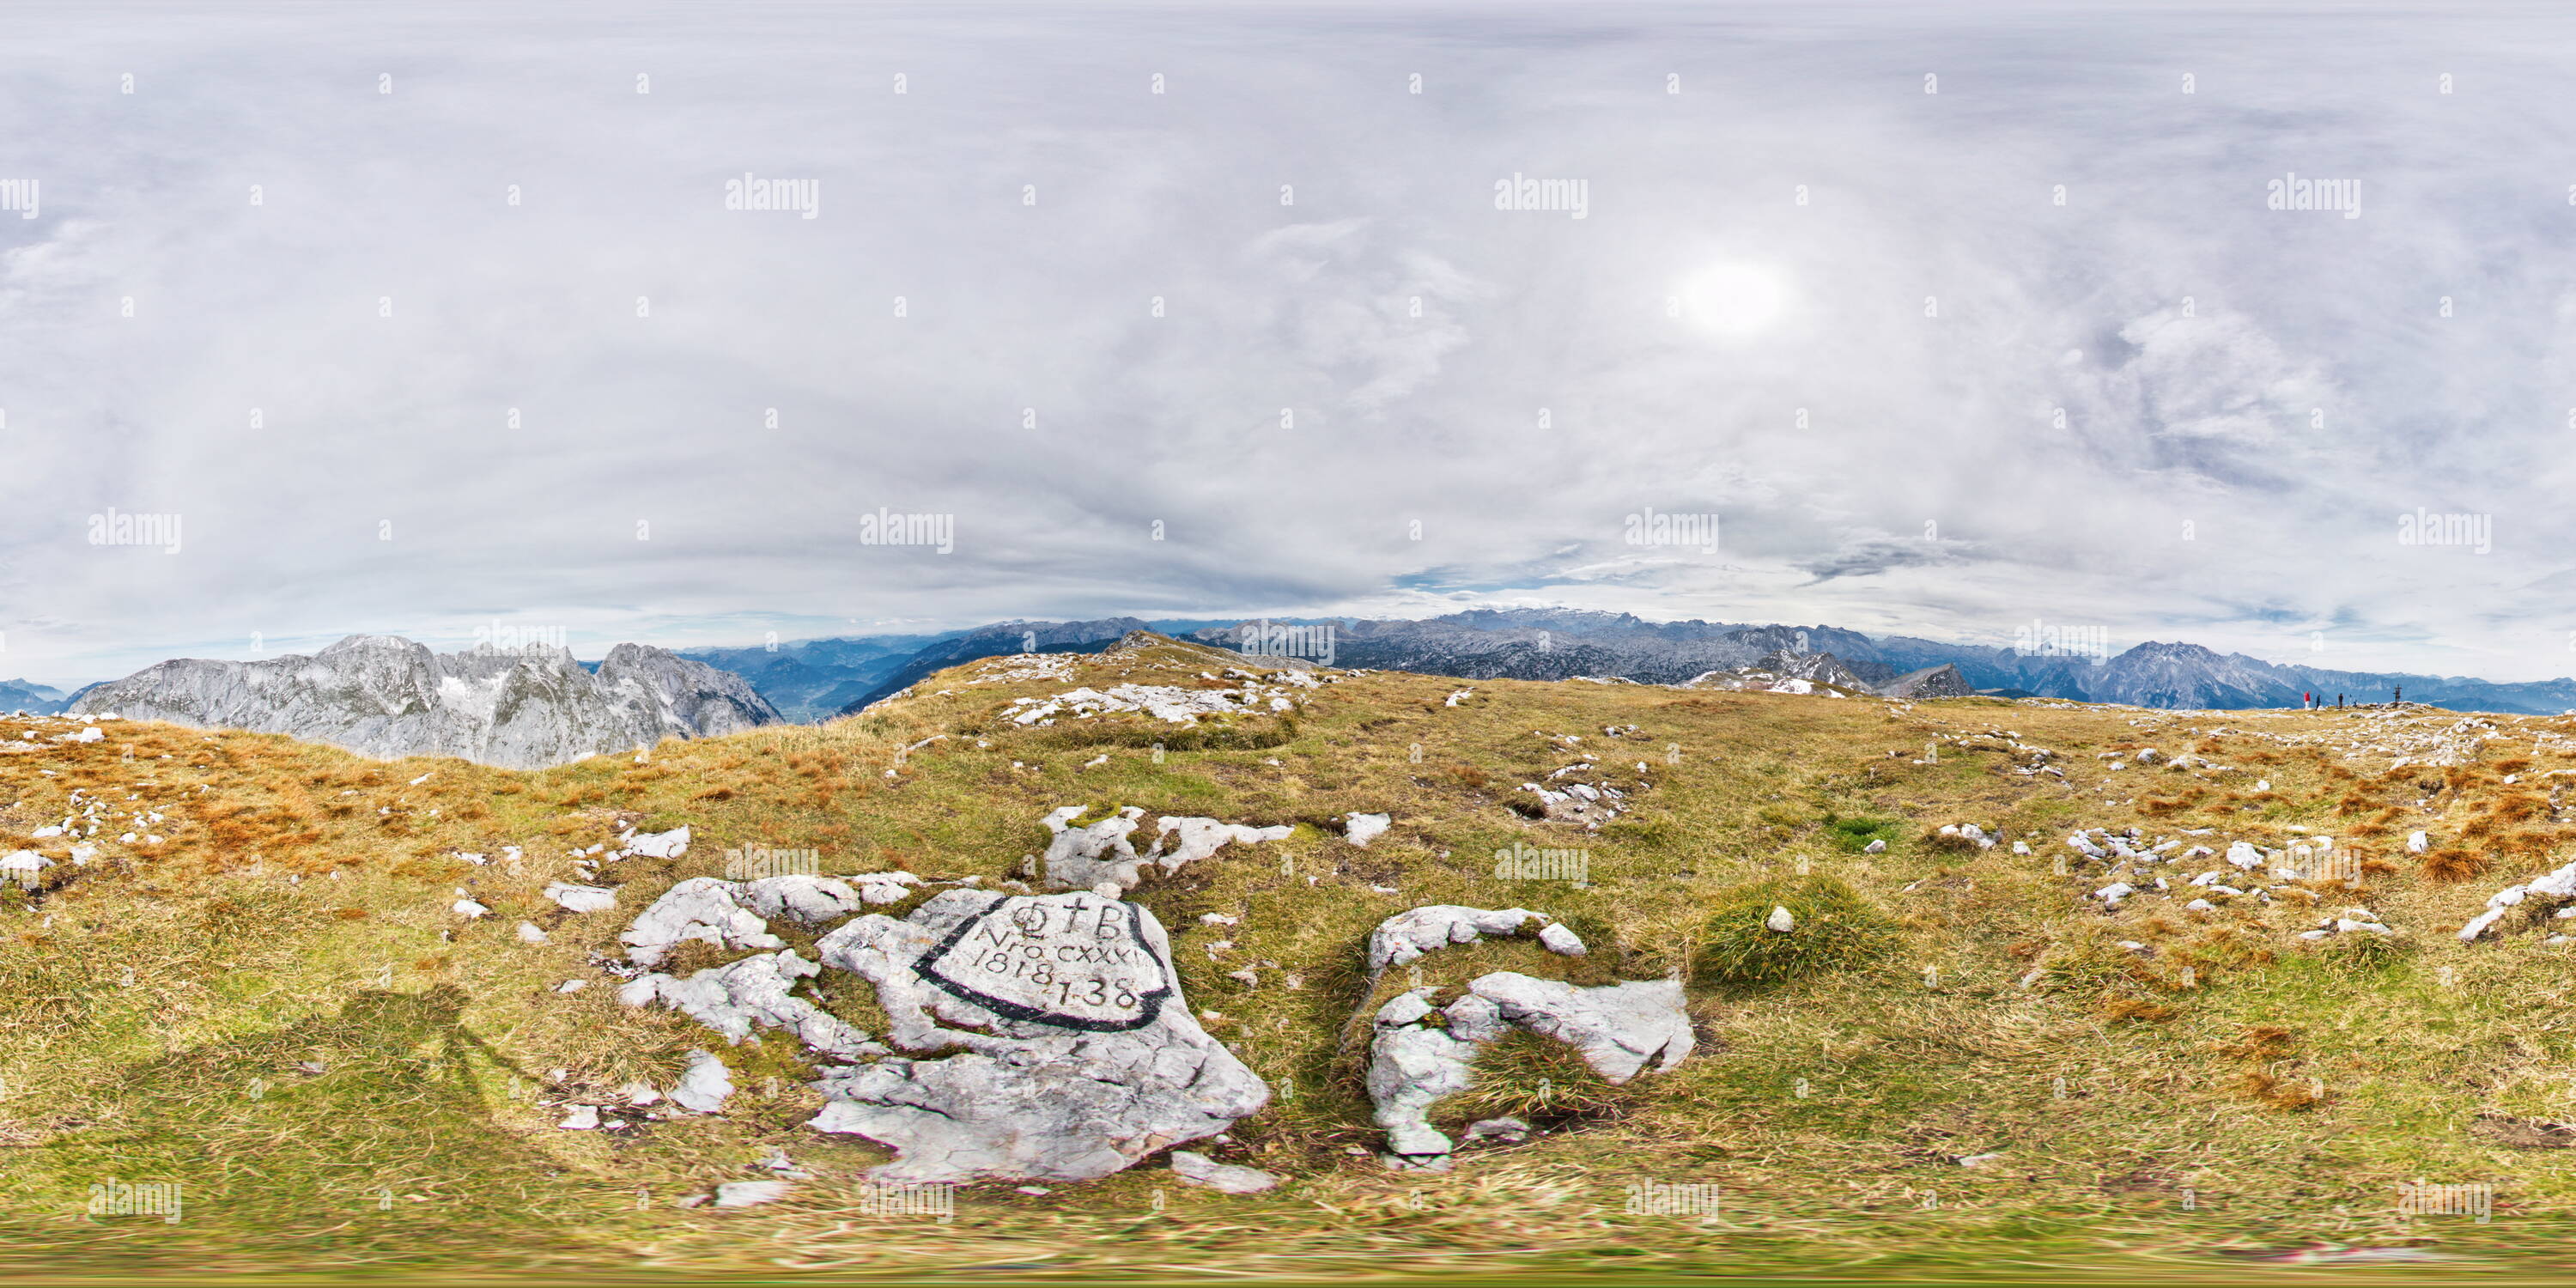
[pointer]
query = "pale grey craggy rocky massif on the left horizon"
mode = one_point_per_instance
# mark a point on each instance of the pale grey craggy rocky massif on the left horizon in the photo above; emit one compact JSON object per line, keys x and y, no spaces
{"x":393,"y":697}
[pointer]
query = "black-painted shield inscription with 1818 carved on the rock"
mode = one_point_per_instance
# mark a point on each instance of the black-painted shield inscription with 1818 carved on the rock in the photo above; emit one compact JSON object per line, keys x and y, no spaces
{"x":1055,"y":960}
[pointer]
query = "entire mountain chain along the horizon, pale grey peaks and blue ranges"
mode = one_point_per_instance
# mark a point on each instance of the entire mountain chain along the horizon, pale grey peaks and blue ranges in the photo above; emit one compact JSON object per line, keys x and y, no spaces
{"x":540,"y":707}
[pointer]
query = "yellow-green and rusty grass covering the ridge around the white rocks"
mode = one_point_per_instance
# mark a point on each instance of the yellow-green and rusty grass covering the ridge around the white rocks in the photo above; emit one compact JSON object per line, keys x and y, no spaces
{"x":2237,"y":1088}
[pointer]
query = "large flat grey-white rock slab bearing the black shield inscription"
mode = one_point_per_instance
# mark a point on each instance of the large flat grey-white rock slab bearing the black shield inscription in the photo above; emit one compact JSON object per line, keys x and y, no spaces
{"x":1065,"y":1045}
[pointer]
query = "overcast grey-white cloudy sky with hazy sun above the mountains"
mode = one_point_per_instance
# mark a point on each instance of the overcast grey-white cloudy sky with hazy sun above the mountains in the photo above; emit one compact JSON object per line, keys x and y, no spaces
{"x":1951,"y":316}
